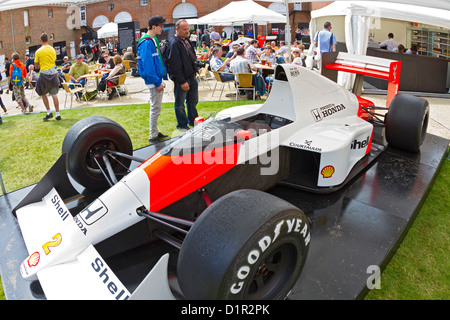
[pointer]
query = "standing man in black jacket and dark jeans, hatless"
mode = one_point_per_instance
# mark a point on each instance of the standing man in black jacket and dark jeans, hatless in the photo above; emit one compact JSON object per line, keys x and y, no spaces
{"x":180,"y":57}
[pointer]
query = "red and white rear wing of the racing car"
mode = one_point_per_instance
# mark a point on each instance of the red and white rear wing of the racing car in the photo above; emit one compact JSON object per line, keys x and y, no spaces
{"x":381,"y":68}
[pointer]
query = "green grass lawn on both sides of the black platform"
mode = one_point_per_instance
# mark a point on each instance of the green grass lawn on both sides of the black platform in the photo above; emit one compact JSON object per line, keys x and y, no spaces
{"x":419,"y":269}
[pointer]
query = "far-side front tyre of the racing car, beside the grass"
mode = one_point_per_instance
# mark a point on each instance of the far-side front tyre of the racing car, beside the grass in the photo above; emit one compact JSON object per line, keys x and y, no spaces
{"x":89,"y":138}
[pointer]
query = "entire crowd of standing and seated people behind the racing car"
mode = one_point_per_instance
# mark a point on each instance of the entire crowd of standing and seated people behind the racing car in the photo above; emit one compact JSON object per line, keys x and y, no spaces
{"x":179,"y":63}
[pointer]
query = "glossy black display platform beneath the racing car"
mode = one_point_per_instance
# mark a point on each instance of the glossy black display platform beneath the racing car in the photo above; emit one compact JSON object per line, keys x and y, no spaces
{"x":359,"y":226}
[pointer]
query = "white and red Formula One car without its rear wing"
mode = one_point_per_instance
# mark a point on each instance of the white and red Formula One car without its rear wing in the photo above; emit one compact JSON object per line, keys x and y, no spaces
{"x":205,"y":193}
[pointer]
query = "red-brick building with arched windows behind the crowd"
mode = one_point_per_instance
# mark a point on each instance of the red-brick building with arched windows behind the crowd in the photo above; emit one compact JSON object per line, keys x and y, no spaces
{"x":22,"y":27}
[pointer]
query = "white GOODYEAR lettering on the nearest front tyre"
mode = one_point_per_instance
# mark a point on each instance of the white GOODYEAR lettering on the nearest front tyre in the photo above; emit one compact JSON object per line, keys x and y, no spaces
{"x":286,"y":225}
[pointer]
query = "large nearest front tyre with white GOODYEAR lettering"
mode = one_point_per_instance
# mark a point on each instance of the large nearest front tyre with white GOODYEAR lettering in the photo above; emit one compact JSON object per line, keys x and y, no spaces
{"x":246,"y":245}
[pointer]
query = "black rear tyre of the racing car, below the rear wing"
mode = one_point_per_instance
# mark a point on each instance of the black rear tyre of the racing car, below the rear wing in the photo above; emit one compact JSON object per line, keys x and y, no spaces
{"x":407,"y":122}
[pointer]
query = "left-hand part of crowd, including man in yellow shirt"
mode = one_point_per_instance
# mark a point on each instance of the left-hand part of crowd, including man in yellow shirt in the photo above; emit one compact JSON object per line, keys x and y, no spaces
{"x":41,"y":74}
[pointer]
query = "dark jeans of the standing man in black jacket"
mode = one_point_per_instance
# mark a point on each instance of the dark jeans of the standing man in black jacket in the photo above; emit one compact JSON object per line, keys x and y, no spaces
{"x":191,"y":98}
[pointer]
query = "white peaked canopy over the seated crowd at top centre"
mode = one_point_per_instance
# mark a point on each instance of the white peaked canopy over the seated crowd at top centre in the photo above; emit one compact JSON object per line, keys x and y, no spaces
{"x":238,"y":12}
